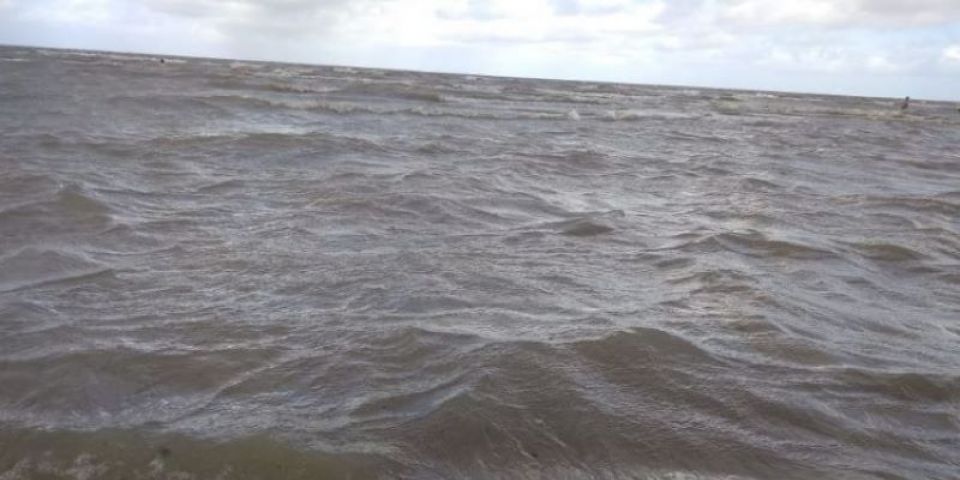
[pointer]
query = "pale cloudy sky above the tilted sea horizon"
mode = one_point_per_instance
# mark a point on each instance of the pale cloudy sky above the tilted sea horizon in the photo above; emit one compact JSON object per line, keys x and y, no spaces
{"x":857,"y":47}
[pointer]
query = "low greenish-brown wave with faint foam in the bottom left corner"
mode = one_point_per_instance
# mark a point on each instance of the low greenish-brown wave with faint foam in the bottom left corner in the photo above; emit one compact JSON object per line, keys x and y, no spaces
{"x":73,"y":455}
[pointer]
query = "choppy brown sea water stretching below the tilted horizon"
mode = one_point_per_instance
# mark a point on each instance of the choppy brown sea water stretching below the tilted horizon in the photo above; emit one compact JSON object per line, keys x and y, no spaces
{"x":241,"y":270}
